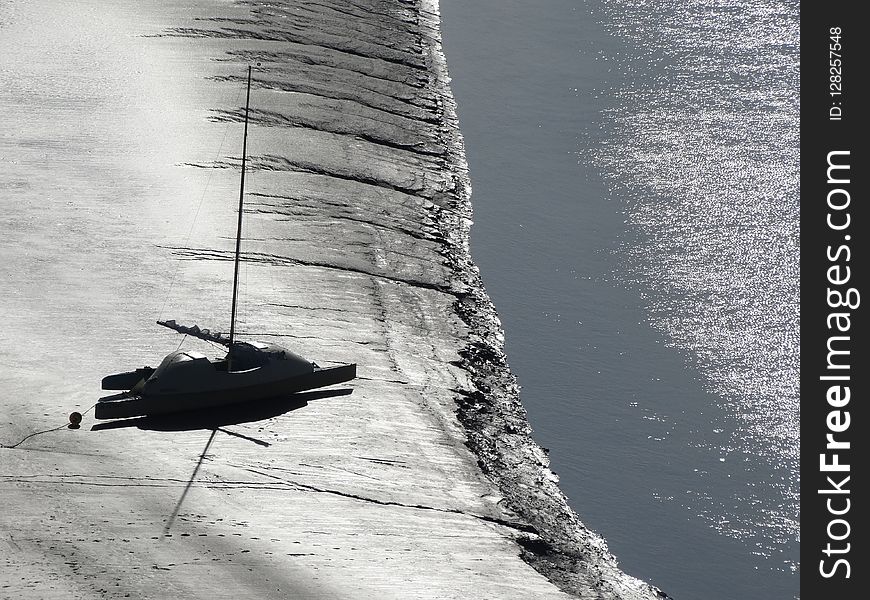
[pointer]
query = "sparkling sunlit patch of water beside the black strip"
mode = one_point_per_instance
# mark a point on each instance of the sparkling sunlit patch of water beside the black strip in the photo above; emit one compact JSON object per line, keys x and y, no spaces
{"x":703,"y":153}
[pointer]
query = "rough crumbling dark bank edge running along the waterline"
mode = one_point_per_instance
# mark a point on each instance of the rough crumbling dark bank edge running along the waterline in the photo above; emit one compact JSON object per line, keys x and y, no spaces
{"x":561,"y":548}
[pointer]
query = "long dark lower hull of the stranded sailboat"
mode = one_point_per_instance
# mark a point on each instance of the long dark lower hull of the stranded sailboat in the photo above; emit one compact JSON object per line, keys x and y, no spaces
{"x":125,"y":405}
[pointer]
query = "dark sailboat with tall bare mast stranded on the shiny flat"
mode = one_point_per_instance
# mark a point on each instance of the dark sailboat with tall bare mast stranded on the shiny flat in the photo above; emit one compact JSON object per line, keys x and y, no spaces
{"x":188,"y":380}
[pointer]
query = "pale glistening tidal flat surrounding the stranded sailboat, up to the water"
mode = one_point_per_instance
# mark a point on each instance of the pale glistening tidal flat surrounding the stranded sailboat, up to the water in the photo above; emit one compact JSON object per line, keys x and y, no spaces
{"x":120,"y":152}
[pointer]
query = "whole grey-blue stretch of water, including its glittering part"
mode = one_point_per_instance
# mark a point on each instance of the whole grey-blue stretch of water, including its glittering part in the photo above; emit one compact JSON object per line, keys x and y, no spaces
{"x":634,"y":175}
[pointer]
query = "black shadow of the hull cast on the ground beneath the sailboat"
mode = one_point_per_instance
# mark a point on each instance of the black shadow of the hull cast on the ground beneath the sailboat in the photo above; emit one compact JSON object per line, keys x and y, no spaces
{"x":219,"y":417}
